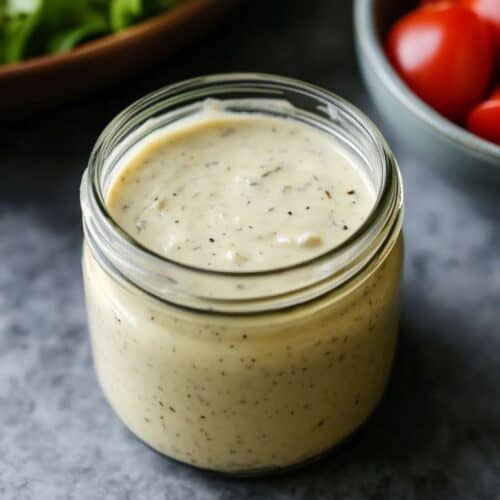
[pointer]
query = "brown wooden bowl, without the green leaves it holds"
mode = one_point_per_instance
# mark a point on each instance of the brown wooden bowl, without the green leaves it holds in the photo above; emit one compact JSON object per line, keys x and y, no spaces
{"x":50,"y":79}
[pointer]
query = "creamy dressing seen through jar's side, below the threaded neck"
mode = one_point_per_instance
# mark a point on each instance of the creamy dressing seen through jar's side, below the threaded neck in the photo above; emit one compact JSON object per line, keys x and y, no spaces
{"x":248,"y":393}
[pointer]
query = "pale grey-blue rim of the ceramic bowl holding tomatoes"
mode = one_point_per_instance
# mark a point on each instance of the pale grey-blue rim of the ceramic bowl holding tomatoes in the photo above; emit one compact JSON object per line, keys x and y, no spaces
{"x":370,"y":45}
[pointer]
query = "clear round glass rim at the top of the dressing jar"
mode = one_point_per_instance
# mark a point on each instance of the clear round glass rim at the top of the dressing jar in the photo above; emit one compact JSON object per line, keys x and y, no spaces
{"x":389,"y":195}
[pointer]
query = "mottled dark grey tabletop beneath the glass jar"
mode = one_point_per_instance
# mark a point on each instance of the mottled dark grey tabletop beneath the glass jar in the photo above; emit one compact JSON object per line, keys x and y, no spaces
{"x":437,"y":432}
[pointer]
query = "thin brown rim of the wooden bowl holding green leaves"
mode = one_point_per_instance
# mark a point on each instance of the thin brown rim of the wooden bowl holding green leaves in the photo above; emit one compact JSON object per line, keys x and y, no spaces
{"x":108,"y":41}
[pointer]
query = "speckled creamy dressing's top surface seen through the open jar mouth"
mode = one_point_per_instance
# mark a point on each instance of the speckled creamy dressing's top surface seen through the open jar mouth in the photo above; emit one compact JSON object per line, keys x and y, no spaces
{"x":236,"y":192}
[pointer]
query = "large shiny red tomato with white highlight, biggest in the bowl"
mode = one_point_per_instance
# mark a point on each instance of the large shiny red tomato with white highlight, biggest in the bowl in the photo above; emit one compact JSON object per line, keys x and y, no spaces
{"x":445,"y":55}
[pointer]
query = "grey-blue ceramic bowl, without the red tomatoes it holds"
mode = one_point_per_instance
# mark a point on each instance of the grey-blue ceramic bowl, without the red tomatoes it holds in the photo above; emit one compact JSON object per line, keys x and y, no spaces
{"x":440,"y":143}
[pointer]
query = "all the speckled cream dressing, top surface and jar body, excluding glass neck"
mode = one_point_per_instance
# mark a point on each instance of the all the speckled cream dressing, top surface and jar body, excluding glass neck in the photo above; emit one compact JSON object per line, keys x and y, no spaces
{"x":259,"y":391}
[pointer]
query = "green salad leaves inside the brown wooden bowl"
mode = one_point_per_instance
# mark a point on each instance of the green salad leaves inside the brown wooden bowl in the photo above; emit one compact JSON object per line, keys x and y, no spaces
{"x":33,"y":27}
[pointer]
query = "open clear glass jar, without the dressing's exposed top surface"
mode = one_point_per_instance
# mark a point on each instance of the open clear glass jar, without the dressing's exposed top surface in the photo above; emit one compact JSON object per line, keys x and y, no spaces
{"x":211,"y":368}
